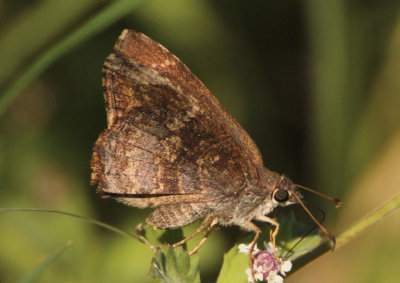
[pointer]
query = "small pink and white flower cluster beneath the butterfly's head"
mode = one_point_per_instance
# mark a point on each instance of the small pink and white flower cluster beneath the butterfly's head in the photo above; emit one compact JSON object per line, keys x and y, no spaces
{"x":267,"y":267}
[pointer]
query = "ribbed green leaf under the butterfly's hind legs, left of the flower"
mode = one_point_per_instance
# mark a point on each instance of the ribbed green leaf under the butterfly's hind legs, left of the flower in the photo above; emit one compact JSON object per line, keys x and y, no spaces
{"x":175,"y":265}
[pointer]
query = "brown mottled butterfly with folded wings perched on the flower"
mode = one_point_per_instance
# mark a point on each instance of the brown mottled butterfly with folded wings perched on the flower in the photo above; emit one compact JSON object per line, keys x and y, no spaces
{"x":171,"y":145}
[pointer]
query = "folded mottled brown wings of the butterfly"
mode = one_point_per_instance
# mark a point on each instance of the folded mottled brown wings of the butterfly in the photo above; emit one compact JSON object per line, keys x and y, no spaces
{"x":167,"y":136}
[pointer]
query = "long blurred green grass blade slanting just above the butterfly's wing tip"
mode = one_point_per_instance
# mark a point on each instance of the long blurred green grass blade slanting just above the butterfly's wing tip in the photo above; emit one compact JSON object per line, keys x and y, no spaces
{"x":100,"y":21}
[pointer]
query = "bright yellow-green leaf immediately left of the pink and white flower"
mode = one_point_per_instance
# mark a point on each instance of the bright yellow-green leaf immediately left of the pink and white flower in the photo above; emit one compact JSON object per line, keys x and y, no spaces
{"x":234,"y":267}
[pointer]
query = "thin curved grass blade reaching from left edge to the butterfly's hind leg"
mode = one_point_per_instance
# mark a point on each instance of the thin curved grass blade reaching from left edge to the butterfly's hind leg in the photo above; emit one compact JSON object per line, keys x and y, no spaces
{"x":92,"y":221}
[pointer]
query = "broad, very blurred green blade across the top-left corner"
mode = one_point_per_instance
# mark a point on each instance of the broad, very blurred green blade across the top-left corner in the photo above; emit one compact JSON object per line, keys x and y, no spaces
{"x":22,"y":37}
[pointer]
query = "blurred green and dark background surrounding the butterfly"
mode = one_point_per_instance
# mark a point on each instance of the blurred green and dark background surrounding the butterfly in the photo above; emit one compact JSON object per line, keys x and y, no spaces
{"x":315,"y":83}
